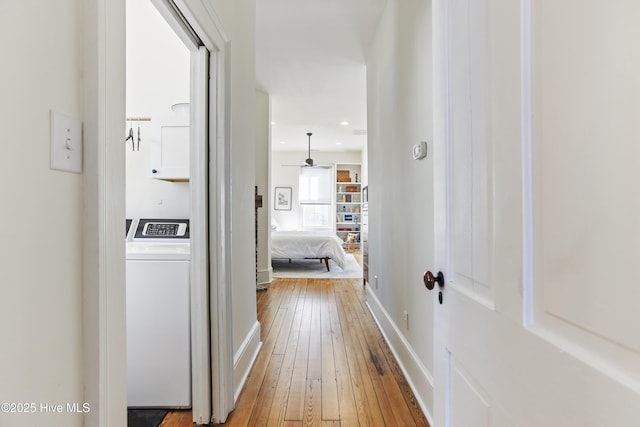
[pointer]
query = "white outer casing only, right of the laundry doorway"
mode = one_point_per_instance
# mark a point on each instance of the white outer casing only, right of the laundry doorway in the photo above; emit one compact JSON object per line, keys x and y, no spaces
{"x":204,"y":21}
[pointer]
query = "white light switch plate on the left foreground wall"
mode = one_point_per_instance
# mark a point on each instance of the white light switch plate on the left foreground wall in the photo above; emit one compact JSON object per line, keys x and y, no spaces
{"x":66,"y":143}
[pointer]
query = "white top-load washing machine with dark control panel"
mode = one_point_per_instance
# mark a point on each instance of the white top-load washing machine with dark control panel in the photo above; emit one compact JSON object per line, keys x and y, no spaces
{"x":158,"y":314}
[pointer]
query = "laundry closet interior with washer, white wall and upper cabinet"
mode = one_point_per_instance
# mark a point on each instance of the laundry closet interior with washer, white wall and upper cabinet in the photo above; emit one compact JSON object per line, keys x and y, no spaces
{"x":156,"y":141}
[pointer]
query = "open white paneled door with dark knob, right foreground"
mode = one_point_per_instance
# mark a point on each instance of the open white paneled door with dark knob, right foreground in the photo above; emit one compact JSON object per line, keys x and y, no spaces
{"x":537,"y":154}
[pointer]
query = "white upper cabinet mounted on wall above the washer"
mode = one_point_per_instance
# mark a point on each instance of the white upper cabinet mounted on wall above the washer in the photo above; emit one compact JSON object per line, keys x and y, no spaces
{"x":170,"y":154}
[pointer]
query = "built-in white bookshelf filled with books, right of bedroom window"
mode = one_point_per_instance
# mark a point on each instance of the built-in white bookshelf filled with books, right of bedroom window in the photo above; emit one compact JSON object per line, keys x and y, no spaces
{"x":348,"y":200}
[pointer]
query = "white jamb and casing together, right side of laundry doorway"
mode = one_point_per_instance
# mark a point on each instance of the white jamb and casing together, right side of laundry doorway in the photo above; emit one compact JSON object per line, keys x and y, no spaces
{"x":197,"y":25}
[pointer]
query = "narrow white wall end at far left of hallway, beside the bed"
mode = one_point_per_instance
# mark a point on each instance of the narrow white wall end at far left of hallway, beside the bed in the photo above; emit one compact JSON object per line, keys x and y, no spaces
{"x":263,"y":179}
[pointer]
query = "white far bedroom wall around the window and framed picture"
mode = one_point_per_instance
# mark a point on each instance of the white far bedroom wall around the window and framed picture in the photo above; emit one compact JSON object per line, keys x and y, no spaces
{"x":287,"y":176}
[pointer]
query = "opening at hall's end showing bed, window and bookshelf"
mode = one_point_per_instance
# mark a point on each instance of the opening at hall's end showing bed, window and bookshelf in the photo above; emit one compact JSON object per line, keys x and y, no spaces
{"x":326,"y":199}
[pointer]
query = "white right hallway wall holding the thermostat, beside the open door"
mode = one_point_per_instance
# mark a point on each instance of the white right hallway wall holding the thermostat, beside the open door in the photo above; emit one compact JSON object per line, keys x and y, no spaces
{"x":401,"y":189}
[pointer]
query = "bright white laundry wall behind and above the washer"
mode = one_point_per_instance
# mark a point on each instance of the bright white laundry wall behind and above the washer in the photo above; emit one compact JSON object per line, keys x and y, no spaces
{"x":157,"y":77}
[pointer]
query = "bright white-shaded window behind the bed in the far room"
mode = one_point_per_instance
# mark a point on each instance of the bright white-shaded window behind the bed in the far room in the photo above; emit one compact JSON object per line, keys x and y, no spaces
{"x":315,"y":185}
